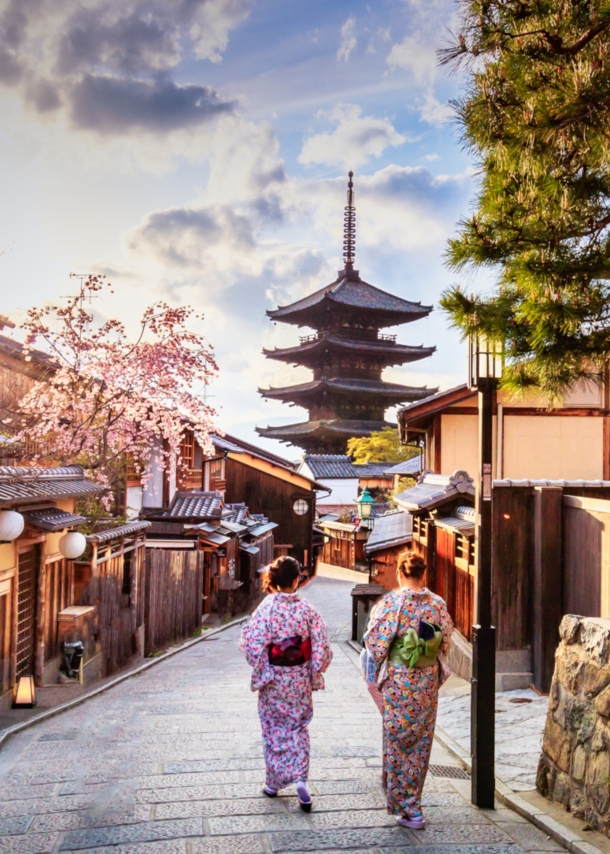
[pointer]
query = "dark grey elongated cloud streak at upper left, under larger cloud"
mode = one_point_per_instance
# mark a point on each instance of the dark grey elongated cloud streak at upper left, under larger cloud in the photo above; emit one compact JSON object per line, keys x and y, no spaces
{"x":111,"y":106}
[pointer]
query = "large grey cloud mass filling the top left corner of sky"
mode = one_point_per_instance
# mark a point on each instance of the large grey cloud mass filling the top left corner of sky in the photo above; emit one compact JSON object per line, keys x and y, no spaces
{"x":107,"y":65}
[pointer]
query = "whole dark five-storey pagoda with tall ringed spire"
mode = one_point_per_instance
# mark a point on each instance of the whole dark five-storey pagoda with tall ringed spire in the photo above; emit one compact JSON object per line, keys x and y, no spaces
{"x":347,"y":353}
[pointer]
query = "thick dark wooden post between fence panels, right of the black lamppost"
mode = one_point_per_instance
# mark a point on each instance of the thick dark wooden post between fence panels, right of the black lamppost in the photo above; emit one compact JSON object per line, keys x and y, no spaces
{"x":548,"y":582}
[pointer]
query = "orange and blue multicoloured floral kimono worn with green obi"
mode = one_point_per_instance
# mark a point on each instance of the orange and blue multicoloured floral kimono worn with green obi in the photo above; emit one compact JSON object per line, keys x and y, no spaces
{"x":410,"y":694}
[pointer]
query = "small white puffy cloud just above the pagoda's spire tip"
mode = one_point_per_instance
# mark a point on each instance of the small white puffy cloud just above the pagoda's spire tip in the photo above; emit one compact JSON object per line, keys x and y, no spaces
{"x":354,"y":141}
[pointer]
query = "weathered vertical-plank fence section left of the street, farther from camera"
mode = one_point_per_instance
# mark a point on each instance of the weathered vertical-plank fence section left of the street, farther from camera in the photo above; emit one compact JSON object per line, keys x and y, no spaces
{"x":173,"y":596}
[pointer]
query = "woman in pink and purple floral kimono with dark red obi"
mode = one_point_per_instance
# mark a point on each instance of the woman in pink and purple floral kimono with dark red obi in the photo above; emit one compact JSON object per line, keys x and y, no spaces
{"x":286,"y":643}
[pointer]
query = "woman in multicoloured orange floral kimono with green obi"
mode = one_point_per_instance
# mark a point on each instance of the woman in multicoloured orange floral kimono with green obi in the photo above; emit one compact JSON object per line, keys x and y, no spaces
{"x":408,"y":630}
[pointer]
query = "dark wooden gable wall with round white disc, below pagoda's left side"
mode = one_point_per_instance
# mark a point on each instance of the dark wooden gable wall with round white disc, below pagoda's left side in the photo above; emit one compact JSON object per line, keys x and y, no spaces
{"x":274,"y":497}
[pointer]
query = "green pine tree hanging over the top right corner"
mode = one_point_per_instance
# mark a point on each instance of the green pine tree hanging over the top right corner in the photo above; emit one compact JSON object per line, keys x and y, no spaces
{"x":536,"y":117}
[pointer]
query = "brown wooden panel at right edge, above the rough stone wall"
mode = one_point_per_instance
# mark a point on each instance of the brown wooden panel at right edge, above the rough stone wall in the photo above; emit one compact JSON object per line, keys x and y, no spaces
{"x":586,"y":556}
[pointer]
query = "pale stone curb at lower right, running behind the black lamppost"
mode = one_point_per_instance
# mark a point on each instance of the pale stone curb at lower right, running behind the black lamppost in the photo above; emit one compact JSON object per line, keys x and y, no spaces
{"x":556,"y":831}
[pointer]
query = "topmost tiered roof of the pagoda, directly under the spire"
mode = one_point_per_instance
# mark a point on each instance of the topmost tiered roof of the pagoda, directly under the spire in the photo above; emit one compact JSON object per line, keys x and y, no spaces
{"x":347,"y":292}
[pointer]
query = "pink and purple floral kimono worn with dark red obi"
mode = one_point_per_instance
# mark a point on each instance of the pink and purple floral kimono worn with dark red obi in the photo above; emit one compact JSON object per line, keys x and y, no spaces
{"x":285,"y":705}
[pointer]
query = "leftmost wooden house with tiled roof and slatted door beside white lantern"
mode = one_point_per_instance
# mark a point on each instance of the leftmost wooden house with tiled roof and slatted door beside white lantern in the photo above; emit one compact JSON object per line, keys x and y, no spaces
{"x":36,"y":579}
